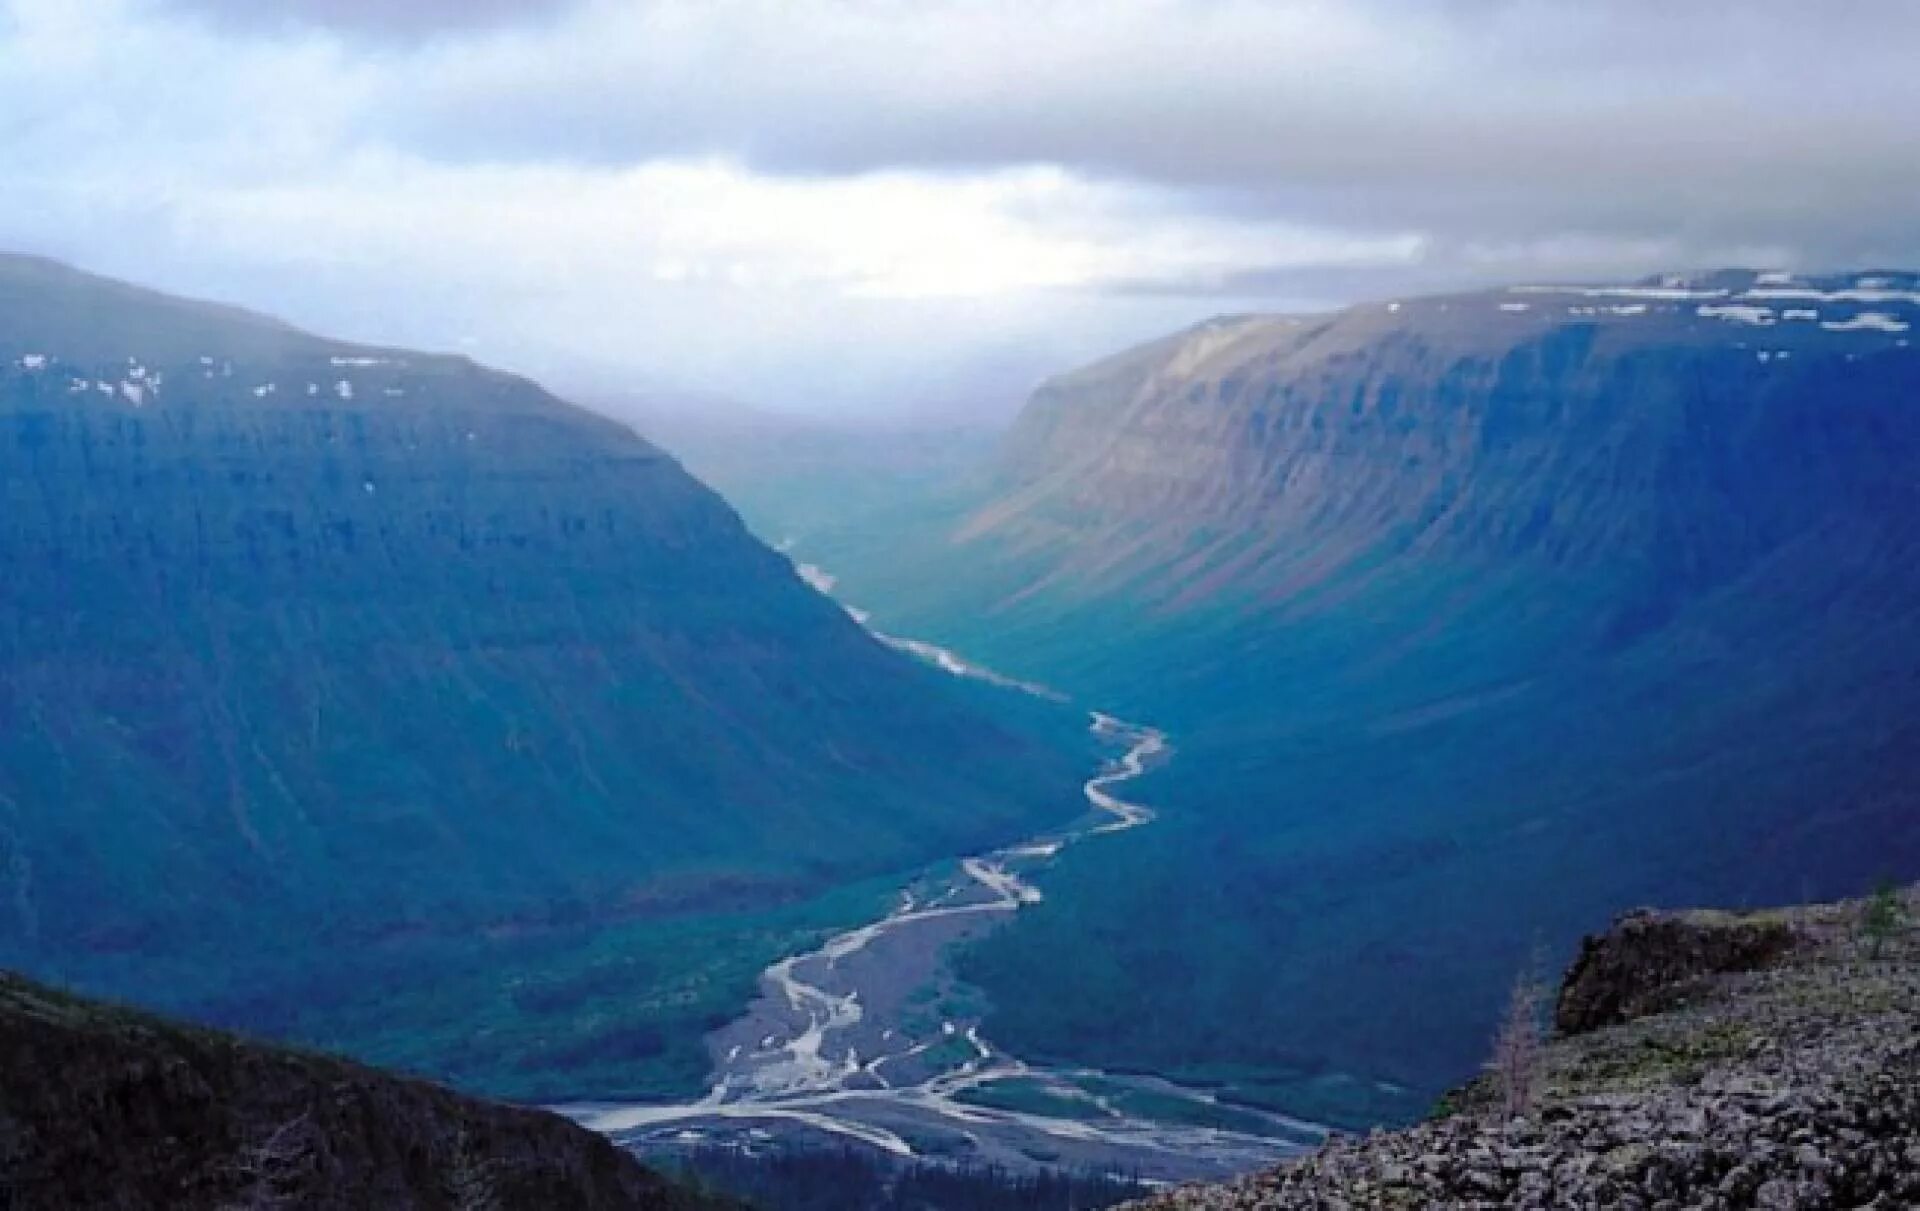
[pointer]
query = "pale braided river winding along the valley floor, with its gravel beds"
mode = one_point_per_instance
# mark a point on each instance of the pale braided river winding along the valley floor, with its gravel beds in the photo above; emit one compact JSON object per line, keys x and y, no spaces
{"x":846,"y":1041}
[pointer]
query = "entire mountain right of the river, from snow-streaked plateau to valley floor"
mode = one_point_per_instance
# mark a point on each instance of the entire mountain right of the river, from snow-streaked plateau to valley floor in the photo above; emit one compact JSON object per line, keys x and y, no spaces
{"x":1472,"y":617}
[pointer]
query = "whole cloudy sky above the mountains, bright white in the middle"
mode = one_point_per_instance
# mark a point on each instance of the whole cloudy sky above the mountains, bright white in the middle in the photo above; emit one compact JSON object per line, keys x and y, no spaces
{"x":907,"y":206}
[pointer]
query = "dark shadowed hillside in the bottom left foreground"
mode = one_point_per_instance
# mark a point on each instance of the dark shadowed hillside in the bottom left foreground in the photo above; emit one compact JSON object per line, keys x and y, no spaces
{"x":108,"y":1108}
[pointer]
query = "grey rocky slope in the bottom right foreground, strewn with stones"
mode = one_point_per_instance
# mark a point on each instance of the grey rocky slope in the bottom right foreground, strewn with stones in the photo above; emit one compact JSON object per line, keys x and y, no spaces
{"x":1698,"y":1060}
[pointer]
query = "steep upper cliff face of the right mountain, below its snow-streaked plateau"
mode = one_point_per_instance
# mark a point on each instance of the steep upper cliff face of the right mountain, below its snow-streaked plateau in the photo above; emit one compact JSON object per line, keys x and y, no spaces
{"x":1671,"y":435}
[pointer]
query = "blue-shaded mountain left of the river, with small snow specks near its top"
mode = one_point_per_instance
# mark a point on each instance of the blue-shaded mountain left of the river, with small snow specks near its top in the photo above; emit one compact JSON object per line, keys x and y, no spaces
{"x":314,"y":652}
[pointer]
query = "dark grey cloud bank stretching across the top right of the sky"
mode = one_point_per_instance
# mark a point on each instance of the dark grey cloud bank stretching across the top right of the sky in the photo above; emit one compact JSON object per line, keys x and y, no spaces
{"x":1708,"y":128}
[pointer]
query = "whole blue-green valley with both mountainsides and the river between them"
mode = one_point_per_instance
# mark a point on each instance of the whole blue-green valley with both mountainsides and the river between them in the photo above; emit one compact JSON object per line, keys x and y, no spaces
{"x":587,"y":795}
